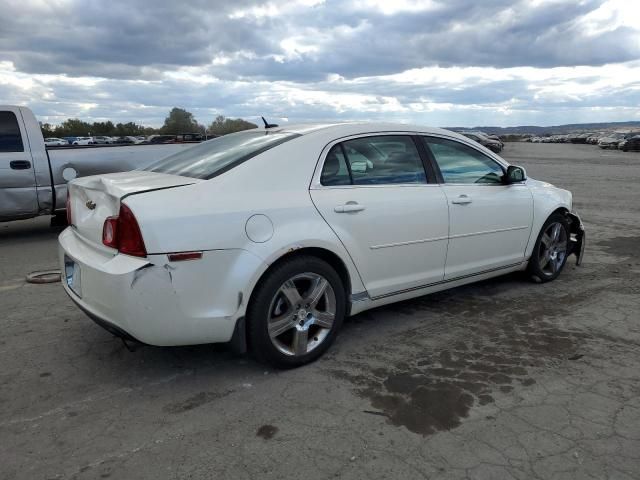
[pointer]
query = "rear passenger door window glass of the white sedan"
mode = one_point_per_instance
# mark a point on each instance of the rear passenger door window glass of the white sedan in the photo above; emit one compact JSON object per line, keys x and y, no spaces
{"x":375,"y":160}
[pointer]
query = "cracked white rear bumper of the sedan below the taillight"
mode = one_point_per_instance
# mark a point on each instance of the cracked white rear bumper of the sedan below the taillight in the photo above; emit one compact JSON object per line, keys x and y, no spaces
{"x":153,"y":300}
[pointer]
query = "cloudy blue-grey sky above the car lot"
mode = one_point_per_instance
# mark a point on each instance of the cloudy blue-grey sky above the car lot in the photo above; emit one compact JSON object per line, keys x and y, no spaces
{"x":430,"y":62}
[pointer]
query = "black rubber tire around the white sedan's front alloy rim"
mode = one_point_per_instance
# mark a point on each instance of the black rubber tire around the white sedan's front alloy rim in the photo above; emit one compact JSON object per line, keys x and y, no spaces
{"x":547,"y":274}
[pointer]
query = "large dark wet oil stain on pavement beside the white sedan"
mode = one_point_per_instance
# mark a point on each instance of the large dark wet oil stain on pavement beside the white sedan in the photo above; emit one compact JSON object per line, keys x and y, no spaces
{"x":496,"y":347}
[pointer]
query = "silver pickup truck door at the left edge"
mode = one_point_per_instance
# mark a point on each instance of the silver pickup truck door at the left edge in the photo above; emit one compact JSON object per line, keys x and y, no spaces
{"x":17,"y":174}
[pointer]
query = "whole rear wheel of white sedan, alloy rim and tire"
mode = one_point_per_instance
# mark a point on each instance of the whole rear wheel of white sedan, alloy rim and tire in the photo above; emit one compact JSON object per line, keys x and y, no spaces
{"x":296,"y":312}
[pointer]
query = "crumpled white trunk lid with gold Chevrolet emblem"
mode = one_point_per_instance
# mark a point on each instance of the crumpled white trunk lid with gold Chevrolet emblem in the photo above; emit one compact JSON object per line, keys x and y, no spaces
{"x":95,"y":198}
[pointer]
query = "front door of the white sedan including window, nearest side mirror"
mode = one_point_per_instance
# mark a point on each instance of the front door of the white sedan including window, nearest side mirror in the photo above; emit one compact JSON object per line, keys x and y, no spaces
{"x":489,"y":221}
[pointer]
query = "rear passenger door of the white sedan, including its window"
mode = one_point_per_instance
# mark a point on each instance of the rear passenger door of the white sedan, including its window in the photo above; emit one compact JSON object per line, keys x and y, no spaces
{"x":374,"y":193}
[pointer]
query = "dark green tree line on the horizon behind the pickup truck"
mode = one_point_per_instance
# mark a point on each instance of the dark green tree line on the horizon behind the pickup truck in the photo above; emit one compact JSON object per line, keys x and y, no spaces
{"x":178,"y":121}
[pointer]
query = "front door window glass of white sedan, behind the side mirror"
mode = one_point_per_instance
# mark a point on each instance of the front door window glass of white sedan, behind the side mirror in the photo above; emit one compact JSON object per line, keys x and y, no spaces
{"x":460,"y":163}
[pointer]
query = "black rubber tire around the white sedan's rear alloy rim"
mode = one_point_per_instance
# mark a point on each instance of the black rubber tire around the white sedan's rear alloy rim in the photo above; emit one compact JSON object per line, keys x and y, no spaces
{"x":260,"y":307}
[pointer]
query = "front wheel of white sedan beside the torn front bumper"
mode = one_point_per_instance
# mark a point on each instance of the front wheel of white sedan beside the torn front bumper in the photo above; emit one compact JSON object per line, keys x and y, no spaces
{"x":550,"y":250}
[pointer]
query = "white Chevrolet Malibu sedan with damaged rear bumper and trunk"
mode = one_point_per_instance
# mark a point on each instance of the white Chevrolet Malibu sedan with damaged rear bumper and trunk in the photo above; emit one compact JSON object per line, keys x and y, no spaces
{"x":268,"y":238}
